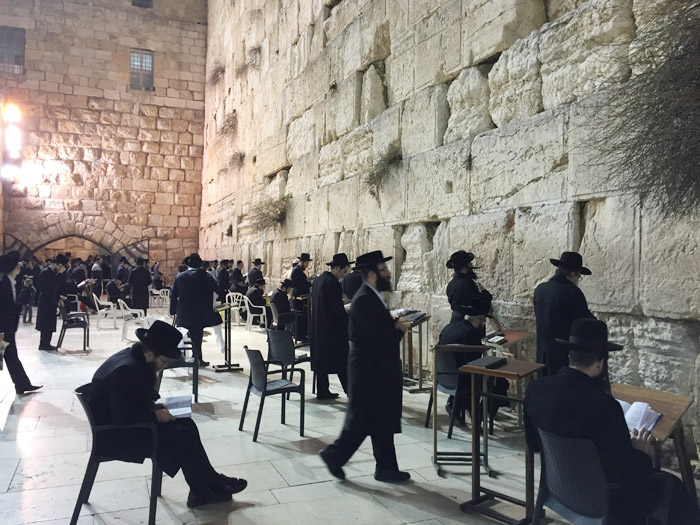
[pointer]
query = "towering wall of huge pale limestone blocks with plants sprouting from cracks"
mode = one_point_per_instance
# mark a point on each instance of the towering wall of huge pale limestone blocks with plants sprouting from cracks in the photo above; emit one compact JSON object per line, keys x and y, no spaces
{"x":420,"y":127}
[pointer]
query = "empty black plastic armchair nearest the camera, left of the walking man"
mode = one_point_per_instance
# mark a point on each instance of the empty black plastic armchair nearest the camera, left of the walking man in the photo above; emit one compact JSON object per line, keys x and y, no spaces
{"x":260,"y":386}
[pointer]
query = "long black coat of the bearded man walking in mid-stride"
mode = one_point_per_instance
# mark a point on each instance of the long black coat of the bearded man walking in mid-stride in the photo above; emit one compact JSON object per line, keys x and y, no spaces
{"x":375,"y":378}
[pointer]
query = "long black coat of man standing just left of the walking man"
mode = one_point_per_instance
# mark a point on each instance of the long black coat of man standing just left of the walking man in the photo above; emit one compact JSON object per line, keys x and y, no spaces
{"x":329,"y":326}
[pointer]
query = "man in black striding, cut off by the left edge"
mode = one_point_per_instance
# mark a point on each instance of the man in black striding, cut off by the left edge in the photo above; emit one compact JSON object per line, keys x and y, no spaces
{"x":9,"y":321}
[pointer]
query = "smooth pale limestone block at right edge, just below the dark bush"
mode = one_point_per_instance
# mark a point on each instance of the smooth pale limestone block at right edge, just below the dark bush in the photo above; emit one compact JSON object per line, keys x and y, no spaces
{"x":669,"y":266}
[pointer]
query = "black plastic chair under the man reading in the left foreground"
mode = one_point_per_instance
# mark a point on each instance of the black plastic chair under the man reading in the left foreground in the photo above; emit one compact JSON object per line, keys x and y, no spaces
{"x":96,"y":458}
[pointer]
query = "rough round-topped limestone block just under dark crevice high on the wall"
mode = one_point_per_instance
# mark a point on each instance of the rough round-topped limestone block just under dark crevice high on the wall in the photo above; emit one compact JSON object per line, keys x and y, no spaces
{"x":468,"y":98}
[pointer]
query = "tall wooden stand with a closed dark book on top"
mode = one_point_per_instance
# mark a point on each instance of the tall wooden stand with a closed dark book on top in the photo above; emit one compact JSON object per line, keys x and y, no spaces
{"x":513,"y":370}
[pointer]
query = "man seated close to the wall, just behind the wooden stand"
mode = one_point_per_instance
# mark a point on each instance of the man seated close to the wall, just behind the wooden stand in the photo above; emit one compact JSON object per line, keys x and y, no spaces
{"x":467,"y":329}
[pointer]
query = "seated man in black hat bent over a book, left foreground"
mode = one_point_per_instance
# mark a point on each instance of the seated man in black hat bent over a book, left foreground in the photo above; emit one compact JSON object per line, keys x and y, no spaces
{"x":123,"y":392}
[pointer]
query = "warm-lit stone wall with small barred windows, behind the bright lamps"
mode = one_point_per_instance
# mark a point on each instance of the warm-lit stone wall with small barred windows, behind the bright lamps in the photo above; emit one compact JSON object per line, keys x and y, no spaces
{"x":102,"y":161}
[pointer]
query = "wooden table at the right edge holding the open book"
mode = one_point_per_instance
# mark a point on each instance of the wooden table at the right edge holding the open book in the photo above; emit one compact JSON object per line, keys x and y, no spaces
{"x":673,"y":407}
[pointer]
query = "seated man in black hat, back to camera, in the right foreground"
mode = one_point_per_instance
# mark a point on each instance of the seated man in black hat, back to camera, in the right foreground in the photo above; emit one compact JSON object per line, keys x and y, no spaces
{"x":574,"y":403}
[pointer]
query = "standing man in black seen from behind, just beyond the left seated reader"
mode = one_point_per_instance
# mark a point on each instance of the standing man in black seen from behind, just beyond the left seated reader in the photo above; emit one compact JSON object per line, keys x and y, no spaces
{"x":192,"y":301}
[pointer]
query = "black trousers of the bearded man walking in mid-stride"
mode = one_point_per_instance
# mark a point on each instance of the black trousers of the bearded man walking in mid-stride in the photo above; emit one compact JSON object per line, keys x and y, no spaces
{"x":341,"y":450}
